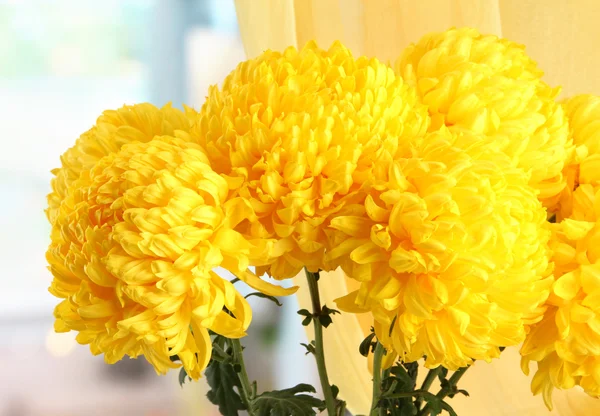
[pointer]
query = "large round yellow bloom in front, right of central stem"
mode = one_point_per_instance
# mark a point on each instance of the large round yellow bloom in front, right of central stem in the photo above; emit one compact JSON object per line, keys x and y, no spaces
{"x":451,"y":251}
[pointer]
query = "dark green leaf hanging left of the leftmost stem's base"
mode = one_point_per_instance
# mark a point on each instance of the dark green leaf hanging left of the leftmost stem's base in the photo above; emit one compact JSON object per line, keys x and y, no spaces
{"x":223,"y":380}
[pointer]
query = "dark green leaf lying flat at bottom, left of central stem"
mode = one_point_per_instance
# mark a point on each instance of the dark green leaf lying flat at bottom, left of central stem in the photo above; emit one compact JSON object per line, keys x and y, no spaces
{"x":287,"y":402}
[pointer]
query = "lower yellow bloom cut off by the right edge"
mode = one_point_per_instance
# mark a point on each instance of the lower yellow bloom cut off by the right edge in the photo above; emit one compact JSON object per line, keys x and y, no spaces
{"x":566,"y":343}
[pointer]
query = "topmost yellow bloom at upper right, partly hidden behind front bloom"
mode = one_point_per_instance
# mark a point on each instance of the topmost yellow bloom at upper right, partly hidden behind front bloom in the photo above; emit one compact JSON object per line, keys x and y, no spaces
{"x":490,"y":86}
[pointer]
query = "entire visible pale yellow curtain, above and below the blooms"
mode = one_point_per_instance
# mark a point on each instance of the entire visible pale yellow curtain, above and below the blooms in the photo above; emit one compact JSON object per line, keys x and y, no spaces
{"x":560,"y":34}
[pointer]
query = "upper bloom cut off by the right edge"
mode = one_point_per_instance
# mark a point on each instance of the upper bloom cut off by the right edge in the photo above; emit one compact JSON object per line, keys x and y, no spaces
{"x":583,"y":113}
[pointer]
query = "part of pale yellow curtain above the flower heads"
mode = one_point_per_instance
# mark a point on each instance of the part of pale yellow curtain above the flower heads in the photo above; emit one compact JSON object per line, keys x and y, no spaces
{"x":560,"y":34}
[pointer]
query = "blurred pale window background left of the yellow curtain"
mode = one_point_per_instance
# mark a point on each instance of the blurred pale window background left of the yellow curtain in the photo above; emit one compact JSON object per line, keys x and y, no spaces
{"x":62,"y":62}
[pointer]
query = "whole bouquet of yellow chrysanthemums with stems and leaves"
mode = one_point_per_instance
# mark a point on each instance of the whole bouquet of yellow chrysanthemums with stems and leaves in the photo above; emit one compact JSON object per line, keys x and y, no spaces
{"x":452,"y":187}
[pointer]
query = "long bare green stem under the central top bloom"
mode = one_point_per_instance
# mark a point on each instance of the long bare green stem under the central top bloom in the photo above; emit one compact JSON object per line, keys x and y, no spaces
{"x":313,"y":287}
